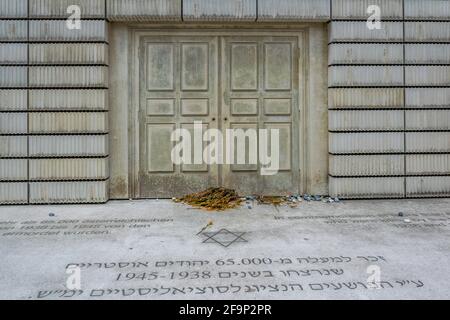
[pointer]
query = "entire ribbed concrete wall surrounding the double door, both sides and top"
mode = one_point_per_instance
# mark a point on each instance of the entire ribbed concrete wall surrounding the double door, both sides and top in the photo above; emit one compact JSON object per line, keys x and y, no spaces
{"x":388,"y":96}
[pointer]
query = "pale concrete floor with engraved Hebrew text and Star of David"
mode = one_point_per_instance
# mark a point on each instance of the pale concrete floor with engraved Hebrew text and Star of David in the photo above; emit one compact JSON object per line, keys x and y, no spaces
{"x":153,"y":250}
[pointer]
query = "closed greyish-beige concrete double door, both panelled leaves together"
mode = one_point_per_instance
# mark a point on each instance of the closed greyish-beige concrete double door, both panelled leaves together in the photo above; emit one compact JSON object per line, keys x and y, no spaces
{"x":180,"y":77}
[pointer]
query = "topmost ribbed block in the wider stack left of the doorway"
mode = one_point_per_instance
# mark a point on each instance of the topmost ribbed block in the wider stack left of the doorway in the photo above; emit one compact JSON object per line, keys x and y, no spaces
{"x":59,"y":8}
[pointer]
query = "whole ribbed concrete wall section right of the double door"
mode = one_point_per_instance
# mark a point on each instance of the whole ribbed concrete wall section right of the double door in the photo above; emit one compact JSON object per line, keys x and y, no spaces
{"x":388,"y":100}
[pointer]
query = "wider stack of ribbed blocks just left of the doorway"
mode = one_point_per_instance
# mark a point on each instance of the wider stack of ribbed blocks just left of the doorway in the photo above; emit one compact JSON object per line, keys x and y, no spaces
{"x":67,"y":102}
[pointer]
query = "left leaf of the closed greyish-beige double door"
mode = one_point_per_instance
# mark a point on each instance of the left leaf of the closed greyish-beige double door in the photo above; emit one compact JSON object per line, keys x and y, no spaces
{"x":178,"y":86}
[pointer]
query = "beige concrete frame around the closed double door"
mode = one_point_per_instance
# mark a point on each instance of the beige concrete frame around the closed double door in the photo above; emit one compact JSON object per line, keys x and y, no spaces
{"x":138,"y":32}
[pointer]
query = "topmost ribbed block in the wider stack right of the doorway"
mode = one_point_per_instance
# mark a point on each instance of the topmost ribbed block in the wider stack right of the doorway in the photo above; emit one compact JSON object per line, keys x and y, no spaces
{"x":357,"y":9}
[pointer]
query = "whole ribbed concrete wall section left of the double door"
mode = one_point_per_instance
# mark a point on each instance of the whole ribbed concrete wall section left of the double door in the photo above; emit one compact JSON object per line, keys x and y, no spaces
{"x":53,"y":103}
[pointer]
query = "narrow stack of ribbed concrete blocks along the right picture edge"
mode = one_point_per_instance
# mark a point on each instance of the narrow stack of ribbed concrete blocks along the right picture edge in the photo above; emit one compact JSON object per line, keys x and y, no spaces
{"x":427,"y":53}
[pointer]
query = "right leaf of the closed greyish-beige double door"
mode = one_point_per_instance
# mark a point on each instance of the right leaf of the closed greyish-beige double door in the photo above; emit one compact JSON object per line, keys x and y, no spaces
{"x":260,"y":90}
